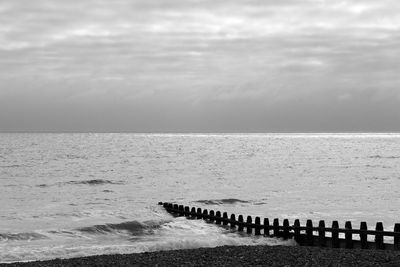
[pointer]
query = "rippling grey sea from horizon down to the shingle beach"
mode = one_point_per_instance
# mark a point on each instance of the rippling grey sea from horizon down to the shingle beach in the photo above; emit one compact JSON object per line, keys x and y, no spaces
{"x":67,"y":195}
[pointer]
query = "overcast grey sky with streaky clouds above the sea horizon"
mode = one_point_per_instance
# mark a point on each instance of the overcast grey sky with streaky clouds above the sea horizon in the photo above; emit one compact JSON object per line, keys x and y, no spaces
{"x":200,"y":65}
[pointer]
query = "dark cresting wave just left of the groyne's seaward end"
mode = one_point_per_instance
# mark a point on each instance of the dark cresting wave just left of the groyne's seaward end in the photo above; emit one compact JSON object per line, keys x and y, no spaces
{"x":132,"y":227}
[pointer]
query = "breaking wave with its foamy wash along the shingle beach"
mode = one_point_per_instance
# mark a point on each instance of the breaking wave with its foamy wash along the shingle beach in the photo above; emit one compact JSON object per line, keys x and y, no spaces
{"x":176,"y":233}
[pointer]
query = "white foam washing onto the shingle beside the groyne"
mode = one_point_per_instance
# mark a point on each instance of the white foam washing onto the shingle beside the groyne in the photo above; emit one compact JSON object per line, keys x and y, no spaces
{"x":180,"y":233}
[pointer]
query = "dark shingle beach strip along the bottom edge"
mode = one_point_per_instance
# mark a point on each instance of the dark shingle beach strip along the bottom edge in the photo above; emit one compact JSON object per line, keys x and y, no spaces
{"x":234,"y":256}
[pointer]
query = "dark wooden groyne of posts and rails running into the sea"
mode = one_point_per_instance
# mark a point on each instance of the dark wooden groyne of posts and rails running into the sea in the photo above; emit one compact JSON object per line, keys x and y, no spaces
{"x":306,"y":235}
